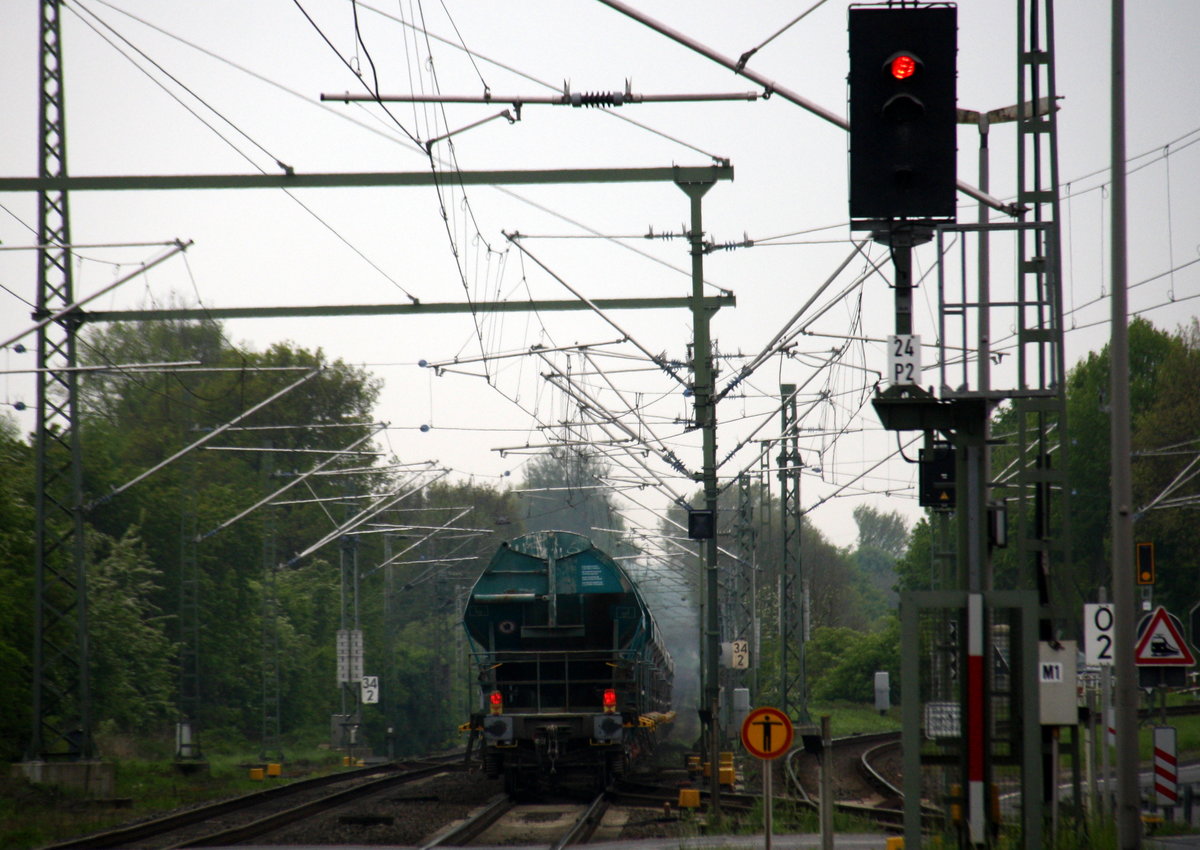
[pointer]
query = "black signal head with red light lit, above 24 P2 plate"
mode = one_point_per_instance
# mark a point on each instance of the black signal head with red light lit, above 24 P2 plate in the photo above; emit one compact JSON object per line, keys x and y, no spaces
{"x":903,"y":113}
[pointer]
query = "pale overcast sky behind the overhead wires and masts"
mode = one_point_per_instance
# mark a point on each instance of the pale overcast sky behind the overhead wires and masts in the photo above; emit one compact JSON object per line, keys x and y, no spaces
{"x":233,"y":87}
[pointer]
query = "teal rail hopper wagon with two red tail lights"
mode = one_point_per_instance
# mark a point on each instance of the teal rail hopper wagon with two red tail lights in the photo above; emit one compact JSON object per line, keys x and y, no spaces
{"x":573,"y":674}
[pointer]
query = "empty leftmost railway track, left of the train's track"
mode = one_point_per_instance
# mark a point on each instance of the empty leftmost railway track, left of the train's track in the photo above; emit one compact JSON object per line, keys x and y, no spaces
{"x":256,"y":815}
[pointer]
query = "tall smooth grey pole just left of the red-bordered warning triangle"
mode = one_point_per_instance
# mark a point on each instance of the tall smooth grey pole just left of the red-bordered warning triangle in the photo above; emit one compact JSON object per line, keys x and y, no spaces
{"x":1129,"y":816}
